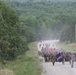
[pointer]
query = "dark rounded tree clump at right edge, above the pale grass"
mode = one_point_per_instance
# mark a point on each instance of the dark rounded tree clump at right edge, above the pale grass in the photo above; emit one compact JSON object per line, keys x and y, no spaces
{"x":68,"y":34}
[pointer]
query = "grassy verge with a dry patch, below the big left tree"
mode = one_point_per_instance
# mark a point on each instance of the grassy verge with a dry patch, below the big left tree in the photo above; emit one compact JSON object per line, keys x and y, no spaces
{"x":28,"y":64}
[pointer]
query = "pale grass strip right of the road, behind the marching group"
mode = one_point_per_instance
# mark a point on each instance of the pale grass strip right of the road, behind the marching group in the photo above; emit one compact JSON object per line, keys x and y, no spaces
{"x":67,"y":47}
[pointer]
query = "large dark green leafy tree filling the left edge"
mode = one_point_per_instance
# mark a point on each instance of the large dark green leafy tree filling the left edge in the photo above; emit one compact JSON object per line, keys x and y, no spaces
{"x":11,"y":41}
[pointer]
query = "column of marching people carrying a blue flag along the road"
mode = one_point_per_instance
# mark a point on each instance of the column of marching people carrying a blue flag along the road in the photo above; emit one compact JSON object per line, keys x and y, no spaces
{"x":52,"y":54}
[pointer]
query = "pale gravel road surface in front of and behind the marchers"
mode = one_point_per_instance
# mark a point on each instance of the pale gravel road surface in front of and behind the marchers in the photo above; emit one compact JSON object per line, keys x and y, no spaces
{"x":58,"y":68}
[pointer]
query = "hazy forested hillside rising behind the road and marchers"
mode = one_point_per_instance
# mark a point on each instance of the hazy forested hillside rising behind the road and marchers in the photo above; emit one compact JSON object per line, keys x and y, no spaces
{"x":48,"y":20}
